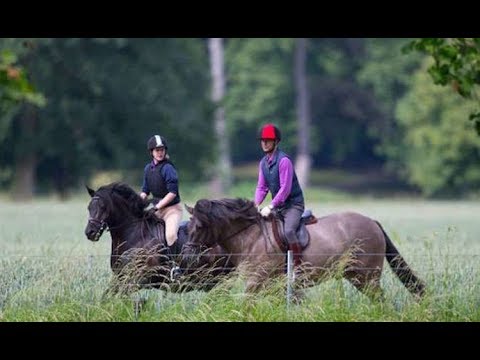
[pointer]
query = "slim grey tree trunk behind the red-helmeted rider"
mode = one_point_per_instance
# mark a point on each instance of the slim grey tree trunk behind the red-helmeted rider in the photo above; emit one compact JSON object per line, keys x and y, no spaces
{"x":303,"y":161}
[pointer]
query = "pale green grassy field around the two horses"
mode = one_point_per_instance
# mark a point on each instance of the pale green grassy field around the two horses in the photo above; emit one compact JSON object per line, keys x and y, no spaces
{"x":49,"y":271}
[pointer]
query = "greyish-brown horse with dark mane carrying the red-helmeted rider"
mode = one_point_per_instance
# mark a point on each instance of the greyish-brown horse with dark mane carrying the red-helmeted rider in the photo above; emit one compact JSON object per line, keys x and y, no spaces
{"x":353,"y":241}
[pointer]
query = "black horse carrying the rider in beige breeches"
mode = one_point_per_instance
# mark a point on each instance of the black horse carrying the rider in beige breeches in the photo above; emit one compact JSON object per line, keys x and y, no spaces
{"x":140,"y":256}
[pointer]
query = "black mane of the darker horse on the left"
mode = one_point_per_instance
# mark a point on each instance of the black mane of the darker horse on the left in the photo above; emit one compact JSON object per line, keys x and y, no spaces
{"x":120,"y":194}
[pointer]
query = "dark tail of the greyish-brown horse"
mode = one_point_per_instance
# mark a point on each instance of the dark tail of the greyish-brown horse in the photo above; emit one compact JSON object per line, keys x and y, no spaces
{"x":401,"y":268}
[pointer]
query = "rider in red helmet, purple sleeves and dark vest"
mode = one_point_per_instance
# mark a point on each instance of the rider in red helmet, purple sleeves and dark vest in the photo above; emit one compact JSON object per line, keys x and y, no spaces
{"x":277,"y":175}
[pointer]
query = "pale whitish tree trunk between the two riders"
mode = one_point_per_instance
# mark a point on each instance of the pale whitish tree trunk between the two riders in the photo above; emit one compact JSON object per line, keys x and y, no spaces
{"x":222,"y":178}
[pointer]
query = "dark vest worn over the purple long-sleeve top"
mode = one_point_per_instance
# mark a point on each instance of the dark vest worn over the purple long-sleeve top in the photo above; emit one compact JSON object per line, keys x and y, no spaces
{"x":272,"y":177}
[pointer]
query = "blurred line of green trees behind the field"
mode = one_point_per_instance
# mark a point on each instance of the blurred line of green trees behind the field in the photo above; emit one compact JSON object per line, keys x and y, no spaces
{"x":91,"y":104}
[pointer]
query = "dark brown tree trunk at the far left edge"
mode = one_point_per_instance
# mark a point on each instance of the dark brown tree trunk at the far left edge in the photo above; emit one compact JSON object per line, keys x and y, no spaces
{"x":25,"y":160}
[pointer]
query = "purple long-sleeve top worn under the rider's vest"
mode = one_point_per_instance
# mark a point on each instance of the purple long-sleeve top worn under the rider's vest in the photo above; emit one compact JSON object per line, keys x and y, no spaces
{"x":285,"y":169}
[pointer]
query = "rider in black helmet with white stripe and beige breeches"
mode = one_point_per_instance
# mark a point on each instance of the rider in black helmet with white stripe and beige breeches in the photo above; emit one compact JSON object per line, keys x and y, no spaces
{"x":161,"y":180}
